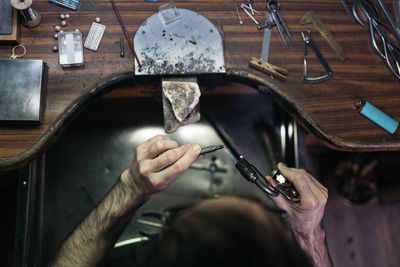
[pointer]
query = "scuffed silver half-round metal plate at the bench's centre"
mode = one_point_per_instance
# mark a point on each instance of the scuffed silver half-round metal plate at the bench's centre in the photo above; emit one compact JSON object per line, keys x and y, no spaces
{"x":167,"y":49}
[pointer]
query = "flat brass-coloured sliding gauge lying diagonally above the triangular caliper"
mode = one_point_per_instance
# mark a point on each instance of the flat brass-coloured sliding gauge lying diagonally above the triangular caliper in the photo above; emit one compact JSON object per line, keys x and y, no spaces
{"x":309,"y":17}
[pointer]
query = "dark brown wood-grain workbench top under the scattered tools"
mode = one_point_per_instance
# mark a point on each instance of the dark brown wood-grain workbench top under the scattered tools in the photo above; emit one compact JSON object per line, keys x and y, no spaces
{"x":325,"y":109}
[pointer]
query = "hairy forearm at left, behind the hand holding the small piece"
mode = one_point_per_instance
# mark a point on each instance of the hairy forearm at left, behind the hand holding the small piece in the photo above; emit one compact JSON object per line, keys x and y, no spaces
{"x":89,"y":244}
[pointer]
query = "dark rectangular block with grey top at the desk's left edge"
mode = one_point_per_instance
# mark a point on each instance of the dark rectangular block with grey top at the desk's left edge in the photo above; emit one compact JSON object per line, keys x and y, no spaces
{"x":22,"y":87}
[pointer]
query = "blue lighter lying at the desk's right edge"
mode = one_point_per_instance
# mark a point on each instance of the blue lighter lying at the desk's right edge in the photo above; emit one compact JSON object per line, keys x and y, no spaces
{"x":377,"y":116}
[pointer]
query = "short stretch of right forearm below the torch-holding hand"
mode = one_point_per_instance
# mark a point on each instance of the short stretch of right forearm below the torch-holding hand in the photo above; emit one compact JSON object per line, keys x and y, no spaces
{"x":315,"y":247}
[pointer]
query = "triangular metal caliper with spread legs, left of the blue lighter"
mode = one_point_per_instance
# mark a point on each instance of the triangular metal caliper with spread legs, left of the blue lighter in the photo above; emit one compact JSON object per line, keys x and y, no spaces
{"x":309,"y":42}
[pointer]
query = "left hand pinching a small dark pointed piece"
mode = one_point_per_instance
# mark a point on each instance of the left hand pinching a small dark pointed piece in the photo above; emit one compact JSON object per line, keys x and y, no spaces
{"x":158,"y":162}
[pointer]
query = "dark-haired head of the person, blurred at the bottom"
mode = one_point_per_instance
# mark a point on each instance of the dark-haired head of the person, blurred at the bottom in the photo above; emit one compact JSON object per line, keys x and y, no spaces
{"x":227,"y":231}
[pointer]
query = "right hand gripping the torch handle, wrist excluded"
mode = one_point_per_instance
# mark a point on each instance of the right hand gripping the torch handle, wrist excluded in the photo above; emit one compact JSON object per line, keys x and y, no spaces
{"x":305,"y":217}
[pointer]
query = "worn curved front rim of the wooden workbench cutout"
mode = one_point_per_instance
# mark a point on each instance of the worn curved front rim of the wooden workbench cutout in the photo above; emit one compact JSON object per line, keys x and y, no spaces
{"x":257,"y":80}
